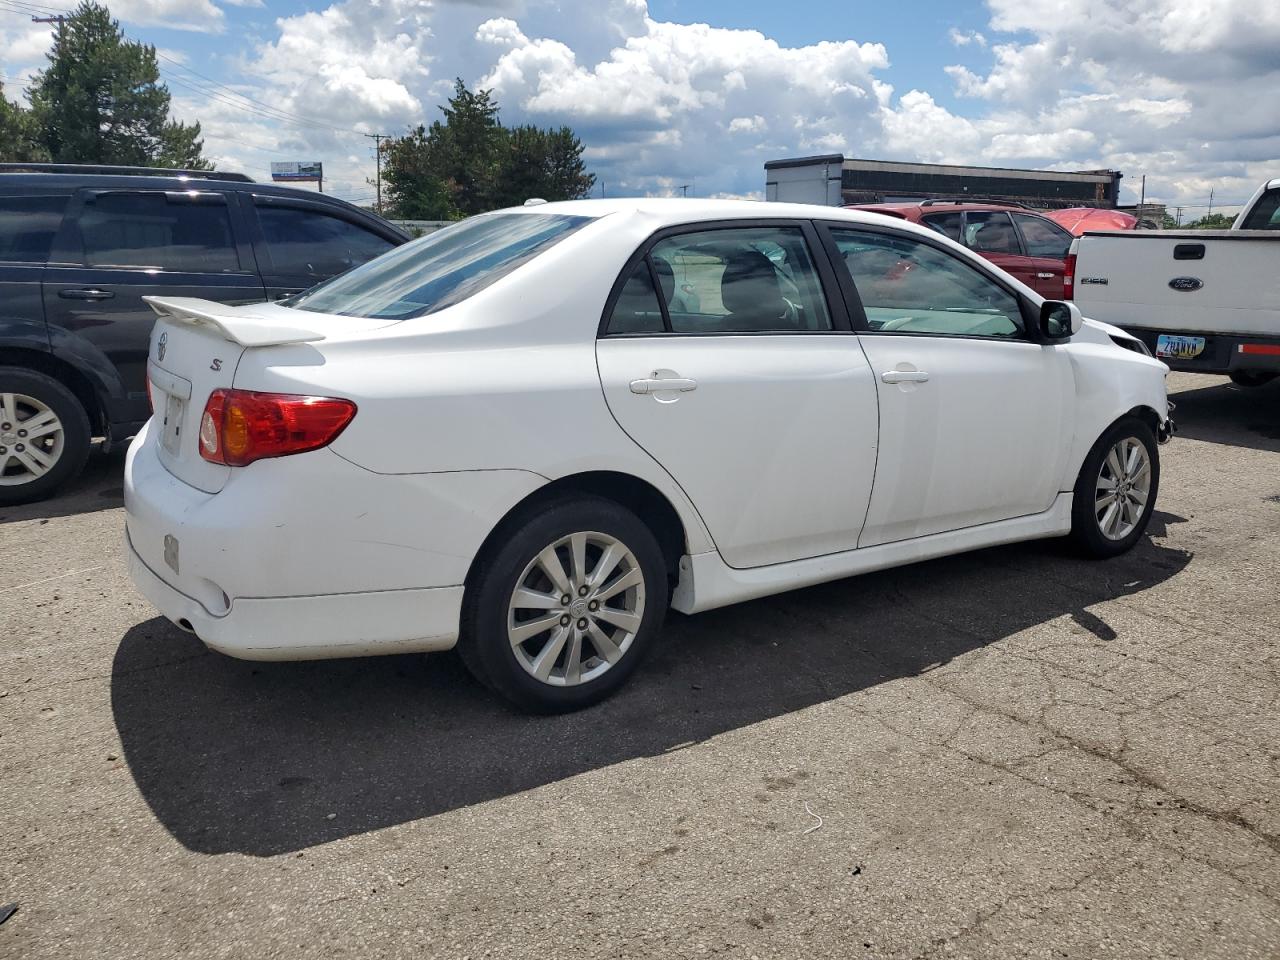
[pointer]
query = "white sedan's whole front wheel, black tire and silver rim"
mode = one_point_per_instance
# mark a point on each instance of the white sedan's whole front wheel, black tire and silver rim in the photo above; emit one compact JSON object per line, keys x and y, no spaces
{"x":1117,"y":490}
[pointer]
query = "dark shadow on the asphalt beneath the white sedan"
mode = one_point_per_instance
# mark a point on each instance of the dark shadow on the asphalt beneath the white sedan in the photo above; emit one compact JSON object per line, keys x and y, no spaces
{"x":271,"y":758}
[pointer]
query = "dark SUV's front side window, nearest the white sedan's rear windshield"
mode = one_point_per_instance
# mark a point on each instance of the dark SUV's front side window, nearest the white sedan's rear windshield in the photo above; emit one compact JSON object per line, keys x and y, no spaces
{"x":307,"y":241}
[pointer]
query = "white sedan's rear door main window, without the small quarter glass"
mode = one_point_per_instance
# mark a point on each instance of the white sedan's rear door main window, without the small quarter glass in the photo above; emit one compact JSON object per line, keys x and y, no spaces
{"x":752,"y":280}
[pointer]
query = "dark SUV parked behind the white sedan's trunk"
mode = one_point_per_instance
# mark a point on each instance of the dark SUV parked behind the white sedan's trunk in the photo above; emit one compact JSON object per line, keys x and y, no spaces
{"x":80,"y":248}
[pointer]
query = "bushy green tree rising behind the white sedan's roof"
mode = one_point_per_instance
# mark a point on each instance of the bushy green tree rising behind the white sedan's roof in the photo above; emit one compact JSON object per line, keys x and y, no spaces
{"x":470,"y":163}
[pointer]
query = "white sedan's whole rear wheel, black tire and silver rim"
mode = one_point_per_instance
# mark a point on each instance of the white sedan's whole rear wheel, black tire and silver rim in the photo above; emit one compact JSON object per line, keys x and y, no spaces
{"x":524,"y":620}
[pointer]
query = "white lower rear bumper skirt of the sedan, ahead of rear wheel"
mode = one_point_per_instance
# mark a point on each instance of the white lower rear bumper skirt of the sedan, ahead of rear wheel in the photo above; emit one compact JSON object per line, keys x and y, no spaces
{"x":312,"y":628}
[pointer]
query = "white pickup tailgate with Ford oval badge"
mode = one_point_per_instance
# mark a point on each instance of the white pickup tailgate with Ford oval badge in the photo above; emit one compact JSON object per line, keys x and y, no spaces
{"x":1217,"y":282}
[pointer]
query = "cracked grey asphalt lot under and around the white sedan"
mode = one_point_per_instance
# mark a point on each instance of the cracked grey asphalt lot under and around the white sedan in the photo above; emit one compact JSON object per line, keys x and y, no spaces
{"x":1004,"y":755}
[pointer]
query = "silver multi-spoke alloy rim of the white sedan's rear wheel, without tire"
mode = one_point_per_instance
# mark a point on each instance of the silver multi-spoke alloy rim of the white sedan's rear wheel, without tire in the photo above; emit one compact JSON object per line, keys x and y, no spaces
{"x":577,"y":609}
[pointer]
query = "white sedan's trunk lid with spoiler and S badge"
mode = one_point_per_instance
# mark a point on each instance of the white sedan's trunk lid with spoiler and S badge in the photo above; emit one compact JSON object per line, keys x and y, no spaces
{"x":196,"y":346}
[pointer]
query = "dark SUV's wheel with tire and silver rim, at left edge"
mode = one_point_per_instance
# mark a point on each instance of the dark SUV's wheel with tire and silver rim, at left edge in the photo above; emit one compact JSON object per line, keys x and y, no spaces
{"x":33,"y":469}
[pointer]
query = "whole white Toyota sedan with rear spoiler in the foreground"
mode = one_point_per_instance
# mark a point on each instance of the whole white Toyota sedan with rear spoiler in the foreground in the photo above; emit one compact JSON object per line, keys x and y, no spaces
{"x":531,"y":433}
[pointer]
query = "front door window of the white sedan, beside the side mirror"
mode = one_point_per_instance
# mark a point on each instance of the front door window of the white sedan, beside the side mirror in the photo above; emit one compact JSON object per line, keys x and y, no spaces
{"x":911,"y":287}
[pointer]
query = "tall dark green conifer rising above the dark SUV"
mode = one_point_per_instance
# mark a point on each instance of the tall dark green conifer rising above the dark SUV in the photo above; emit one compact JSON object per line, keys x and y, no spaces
{"x":102,"y":102}
